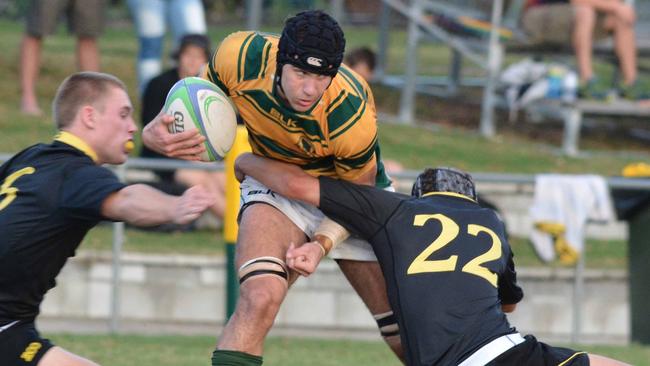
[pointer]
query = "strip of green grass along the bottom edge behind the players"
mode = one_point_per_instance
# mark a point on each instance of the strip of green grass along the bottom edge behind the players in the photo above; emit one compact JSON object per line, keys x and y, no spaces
{"x":129,"y":350}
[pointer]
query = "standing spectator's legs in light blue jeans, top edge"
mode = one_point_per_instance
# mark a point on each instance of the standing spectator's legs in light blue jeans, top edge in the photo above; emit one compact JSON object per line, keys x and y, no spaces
{"x":151,"y":17}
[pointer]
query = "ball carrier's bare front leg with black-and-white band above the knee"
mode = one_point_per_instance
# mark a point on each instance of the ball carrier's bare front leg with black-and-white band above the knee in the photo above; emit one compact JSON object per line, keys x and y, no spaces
{"x":264,"y":233}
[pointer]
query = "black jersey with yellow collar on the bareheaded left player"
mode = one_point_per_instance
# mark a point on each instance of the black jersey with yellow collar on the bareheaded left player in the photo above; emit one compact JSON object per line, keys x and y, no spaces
{"x":51,"y":195}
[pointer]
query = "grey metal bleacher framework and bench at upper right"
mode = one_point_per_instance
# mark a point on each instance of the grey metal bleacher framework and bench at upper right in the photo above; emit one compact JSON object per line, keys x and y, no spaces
{"x":487,"y":52}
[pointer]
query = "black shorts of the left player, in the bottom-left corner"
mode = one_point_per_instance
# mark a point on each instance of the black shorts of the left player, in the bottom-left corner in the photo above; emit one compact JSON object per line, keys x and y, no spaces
{"x":21,"y":345}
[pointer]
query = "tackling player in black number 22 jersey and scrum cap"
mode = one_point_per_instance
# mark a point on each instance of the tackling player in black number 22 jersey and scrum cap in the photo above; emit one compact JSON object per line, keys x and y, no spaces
{"x":448,"y":266}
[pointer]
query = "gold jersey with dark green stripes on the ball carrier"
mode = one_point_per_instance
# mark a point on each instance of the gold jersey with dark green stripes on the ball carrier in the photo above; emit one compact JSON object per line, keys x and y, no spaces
{"x":337,"y":137}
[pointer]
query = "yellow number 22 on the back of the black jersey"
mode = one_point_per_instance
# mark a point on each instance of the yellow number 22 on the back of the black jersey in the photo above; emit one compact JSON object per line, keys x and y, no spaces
{"x":449,"y":232}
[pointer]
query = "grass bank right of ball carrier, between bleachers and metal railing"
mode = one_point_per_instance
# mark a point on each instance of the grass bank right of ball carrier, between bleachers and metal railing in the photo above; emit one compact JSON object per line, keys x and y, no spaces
{"x":418,"y":147}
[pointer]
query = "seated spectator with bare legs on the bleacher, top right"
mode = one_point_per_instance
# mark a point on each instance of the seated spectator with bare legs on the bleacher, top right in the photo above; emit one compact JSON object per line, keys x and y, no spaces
{"x":581,"y":22}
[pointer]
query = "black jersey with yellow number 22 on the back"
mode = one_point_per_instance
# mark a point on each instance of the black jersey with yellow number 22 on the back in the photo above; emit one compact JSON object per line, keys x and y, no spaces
{"x":447,"y":264}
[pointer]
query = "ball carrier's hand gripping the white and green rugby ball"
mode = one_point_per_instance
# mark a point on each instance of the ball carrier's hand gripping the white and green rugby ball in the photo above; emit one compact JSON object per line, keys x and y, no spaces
{"x":186,"y":145}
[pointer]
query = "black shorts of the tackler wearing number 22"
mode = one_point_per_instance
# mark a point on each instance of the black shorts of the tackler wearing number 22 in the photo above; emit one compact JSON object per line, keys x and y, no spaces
{"x":534,"y":353}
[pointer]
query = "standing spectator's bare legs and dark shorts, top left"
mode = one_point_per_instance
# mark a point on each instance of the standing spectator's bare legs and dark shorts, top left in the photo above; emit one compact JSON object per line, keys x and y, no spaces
{"x":85,"y":19}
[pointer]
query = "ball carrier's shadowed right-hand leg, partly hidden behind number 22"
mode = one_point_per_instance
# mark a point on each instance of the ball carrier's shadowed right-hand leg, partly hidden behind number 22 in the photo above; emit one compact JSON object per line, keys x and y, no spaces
{"x":367,"y":280}
